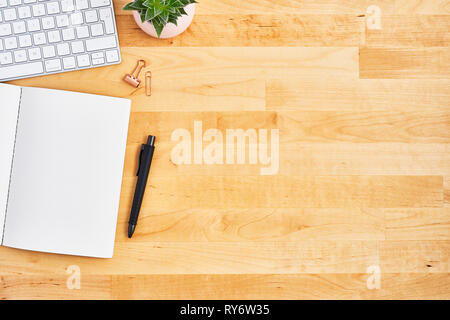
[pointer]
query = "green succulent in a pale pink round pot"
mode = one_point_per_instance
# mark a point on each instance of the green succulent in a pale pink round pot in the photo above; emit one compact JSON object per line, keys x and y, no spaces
{"x":162,"y":18}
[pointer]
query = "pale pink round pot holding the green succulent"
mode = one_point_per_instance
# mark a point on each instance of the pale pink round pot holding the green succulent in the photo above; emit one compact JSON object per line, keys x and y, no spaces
{"x":170,"y":30}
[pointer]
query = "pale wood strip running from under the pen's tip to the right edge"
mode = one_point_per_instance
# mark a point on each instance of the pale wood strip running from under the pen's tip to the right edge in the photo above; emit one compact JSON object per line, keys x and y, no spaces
{"x":289,"y":224}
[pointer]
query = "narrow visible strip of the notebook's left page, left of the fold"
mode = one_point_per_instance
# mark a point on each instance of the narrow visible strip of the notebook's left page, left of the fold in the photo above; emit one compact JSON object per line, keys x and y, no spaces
{"x":9,"y":109}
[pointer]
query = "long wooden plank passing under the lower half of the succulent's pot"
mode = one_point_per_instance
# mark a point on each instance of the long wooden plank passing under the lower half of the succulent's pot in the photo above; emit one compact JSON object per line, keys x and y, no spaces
{"x":253,"y":30}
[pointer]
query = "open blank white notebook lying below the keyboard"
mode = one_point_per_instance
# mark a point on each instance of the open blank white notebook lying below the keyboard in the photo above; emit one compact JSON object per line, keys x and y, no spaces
{"x":61,"y":165}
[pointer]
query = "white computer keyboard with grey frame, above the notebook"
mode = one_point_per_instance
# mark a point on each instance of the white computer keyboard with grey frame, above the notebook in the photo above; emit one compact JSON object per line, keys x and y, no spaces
{"x":39,"y":37}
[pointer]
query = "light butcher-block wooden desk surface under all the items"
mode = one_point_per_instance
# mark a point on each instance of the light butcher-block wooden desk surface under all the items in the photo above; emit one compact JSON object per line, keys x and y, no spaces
{"x":364,"y":160}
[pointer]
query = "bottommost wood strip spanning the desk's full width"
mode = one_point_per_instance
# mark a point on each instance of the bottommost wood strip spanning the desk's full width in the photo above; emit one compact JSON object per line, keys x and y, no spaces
{"x":301,"y":286}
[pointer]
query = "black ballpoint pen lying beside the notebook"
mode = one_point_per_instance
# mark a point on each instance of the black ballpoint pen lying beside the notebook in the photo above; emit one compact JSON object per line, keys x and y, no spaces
{"x":145,"y":161}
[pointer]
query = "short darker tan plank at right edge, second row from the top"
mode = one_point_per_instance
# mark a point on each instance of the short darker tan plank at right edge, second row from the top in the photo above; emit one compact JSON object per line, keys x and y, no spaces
{"x":404,"y":63}
